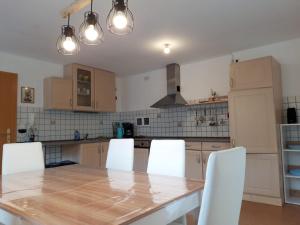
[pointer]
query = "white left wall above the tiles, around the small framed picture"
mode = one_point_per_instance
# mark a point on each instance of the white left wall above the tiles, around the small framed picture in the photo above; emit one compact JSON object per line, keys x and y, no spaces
{"x":31,"y":72}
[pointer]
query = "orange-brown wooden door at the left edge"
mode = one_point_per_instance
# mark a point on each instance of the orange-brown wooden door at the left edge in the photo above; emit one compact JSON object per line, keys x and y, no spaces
{"x":8,"y":109}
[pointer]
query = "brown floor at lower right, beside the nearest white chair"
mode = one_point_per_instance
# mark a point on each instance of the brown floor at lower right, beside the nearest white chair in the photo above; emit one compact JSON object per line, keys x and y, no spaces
{"x":261,"y":214}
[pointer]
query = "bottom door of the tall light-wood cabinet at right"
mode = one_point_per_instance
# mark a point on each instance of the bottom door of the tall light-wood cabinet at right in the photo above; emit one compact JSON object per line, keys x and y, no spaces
{"x":262,"y":175}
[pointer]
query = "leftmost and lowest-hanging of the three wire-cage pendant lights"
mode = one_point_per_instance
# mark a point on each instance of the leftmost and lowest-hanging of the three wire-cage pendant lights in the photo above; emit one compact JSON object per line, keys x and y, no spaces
{"x":67,"y":43}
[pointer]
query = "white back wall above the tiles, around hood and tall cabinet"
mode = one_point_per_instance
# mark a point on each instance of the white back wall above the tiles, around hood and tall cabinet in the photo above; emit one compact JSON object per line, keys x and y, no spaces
{"x":197,"y":78}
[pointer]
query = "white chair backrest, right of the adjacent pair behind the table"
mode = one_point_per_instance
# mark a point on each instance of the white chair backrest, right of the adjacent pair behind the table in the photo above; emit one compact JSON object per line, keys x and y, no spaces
{"x":167,"y":157}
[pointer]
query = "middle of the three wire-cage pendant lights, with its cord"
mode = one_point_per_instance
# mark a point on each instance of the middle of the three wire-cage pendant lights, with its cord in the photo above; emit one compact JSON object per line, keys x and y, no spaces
{"x":90,"y":31}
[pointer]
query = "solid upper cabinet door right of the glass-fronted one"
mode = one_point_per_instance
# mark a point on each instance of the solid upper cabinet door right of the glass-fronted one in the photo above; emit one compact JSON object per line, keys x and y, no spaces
{"x":105,"y":91}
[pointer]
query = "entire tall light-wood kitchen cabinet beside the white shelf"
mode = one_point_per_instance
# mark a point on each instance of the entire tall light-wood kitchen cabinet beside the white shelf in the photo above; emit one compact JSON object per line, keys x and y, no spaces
{"x":255,"y":112}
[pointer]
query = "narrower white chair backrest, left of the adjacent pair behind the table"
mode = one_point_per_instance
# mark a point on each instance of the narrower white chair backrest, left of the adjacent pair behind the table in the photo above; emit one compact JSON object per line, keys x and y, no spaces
{"x":120,"y":154}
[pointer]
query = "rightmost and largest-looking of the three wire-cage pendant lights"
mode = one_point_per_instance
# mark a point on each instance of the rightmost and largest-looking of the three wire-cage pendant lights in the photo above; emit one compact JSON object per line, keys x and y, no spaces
{"x":120,"y":19}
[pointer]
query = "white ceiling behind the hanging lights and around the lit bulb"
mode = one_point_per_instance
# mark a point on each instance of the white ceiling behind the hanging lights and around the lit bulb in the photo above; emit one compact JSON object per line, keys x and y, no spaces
{"x":196,"y":29}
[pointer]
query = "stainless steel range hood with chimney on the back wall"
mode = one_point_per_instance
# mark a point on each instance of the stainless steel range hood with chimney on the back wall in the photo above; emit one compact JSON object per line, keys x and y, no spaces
{"x":173,"y":97}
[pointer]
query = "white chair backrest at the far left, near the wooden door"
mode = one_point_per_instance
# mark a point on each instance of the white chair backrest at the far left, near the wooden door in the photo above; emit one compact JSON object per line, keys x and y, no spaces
{"x":22,"y":157}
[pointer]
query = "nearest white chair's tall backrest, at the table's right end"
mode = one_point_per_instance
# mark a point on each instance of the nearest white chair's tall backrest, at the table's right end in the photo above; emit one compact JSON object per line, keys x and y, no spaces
{"x":223,"y":190}
